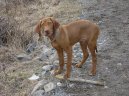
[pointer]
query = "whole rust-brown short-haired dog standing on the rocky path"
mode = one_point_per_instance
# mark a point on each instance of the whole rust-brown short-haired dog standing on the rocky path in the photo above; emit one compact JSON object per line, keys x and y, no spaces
{"x":63,"y":37}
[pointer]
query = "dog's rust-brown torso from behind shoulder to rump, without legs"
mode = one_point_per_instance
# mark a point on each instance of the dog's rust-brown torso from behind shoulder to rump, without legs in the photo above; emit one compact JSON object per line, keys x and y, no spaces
{"x":82,"y":29}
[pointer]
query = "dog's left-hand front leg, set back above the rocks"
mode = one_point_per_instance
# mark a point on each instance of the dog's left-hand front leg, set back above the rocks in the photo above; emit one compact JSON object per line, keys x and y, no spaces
{"x":61,"y":61}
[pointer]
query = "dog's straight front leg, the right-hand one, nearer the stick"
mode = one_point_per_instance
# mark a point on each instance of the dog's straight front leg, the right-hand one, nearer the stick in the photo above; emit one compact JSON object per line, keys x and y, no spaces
{"x":69,"y":62}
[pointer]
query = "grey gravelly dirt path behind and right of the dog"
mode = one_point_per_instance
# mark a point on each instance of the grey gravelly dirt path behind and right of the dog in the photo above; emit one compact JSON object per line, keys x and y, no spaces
{"x":113,"y":52}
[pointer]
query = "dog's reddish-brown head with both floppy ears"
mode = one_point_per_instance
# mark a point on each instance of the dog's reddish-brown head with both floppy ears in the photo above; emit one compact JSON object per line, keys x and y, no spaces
{"x":47,"y":27}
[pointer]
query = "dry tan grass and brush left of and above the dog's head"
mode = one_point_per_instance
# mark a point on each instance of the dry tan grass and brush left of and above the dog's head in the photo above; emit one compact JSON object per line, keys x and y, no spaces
{"x":17,"y":22}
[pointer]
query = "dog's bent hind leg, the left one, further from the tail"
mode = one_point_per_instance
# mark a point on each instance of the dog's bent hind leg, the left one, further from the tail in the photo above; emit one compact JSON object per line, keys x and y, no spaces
{"x":83,"y":45}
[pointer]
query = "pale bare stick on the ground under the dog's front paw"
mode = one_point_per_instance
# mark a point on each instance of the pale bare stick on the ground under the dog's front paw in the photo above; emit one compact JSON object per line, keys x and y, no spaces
{"x":81,"y":80}
